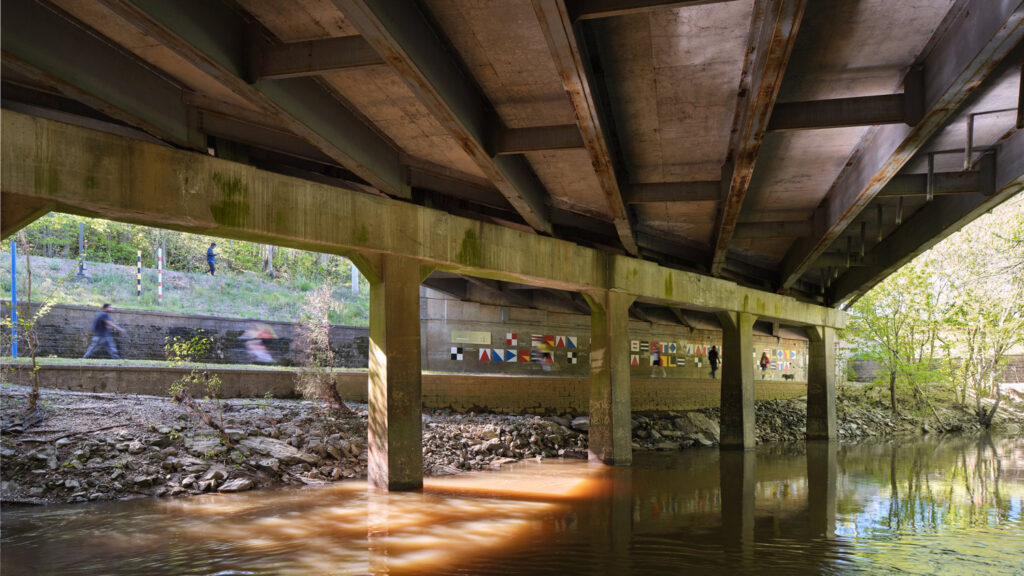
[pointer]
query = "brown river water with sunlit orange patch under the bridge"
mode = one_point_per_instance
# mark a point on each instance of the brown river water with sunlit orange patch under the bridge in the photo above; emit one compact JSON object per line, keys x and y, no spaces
{"x":940,"y":507}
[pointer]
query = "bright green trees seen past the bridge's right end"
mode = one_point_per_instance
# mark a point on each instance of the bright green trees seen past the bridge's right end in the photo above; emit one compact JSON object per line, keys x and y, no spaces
{"x":945,"y":323}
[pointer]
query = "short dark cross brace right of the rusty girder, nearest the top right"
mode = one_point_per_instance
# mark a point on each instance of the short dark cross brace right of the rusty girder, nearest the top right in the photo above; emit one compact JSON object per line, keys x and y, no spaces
{"x":839,"y":113}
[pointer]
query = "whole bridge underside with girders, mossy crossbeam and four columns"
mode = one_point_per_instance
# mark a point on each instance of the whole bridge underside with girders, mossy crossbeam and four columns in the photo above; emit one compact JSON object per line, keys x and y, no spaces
{"x":752,"y":159}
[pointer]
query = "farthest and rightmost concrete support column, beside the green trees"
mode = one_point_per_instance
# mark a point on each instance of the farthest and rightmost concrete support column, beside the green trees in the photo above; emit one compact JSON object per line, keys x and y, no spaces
{"x":822,"y":384}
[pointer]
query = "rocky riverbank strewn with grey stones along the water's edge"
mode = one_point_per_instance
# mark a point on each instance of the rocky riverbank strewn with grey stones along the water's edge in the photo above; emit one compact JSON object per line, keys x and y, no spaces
{"x":107,"y":446}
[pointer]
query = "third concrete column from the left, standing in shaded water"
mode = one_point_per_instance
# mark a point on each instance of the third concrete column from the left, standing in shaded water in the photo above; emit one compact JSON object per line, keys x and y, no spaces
{"x":738,"y":381}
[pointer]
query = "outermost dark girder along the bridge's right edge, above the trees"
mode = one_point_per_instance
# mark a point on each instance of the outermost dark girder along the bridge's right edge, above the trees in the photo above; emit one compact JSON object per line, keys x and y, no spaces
{"x":1001,"y":179}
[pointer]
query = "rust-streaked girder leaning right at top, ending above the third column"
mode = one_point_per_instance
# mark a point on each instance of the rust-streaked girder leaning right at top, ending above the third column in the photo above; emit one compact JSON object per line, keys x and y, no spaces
{"x":774,"y":32}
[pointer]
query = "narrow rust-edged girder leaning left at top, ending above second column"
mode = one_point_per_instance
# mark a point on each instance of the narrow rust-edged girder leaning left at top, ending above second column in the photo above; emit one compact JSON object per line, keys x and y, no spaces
{"x":573,"y":62}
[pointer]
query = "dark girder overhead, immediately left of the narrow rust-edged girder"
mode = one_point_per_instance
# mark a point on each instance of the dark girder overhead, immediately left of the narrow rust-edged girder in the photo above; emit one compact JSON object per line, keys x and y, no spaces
{"x":409,"y":42}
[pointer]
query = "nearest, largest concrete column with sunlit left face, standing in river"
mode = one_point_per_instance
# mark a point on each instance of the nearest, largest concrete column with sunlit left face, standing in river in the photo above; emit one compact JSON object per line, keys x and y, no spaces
{"x":396,"y":439}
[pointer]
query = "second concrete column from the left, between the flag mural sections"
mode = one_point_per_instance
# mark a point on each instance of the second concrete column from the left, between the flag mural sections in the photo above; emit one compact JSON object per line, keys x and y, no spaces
{"x":611,"y":426}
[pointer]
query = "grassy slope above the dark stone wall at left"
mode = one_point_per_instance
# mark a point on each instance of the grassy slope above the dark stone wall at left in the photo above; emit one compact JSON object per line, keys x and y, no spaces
{"x":230,"y":295}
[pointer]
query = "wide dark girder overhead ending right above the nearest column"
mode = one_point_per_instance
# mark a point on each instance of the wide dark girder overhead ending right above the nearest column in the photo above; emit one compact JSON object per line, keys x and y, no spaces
{"x":216,"y":39}
